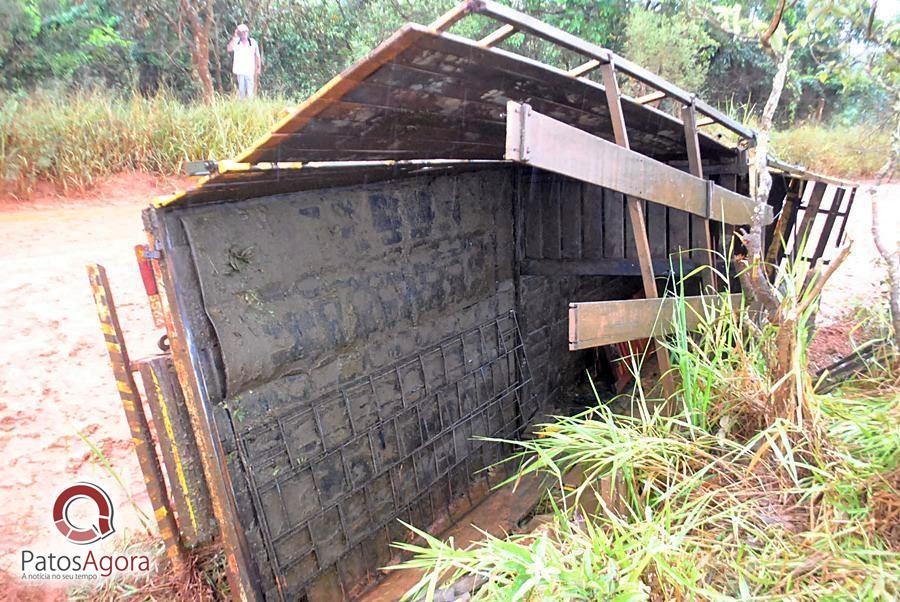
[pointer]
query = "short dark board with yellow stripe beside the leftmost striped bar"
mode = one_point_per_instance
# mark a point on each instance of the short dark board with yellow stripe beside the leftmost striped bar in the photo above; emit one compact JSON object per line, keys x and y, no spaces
{"x":180,"y":454}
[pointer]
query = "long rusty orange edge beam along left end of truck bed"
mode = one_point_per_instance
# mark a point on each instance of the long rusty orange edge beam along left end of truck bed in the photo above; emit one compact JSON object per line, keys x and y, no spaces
{"x":240,"y":572}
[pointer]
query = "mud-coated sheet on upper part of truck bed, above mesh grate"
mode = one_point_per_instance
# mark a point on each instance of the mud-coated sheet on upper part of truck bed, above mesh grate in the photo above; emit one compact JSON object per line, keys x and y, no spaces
{"x":272,"y":315}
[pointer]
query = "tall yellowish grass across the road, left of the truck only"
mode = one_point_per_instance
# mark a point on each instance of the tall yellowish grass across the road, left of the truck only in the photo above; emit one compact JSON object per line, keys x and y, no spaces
{"x":72,"y":139}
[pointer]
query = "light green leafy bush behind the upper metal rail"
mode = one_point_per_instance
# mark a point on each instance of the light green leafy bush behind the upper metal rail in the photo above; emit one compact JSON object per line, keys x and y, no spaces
{"x":675,"y":47}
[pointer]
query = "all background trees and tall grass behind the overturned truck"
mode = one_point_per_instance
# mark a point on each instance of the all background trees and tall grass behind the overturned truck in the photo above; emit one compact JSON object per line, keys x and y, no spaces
{"x":93,"y":87}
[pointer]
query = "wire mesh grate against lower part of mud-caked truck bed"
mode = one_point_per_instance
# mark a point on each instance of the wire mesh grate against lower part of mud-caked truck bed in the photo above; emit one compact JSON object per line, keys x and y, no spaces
{"x":334,"y":475}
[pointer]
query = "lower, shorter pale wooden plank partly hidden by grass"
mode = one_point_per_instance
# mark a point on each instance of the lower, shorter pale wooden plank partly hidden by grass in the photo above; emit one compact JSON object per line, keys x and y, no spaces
{"x":594,"y":324}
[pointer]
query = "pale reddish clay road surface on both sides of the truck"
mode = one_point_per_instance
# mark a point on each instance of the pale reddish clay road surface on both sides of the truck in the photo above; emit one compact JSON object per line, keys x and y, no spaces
{"x":56,"y":383}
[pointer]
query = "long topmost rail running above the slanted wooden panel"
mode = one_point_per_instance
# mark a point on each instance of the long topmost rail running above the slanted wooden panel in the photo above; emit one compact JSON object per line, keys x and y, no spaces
{"x":529,"y":24}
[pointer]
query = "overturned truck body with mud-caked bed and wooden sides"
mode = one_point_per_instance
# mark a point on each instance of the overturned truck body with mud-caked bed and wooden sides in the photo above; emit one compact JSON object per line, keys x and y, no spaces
{"x":388,"y":277}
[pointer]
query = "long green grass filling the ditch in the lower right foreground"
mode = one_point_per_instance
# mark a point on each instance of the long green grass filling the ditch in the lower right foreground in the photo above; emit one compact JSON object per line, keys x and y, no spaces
{"x":708,"y":504}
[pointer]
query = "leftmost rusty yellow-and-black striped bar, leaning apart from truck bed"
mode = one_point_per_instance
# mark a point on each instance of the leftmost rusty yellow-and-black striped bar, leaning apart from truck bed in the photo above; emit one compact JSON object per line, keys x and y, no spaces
{"x":141,"y":436}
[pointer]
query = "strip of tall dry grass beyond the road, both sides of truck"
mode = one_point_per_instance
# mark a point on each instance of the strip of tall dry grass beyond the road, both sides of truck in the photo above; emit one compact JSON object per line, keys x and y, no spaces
{"x":71,"y":139}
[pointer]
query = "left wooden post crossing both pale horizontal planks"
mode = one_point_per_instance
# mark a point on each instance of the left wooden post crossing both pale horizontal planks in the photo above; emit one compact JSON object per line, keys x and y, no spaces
{"x":636,"y":212}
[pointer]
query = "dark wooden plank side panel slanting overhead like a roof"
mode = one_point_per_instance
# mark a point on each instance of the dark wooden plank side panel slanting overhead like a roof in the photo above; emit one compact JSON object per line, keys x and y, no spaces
{"x":449,"y":80}
